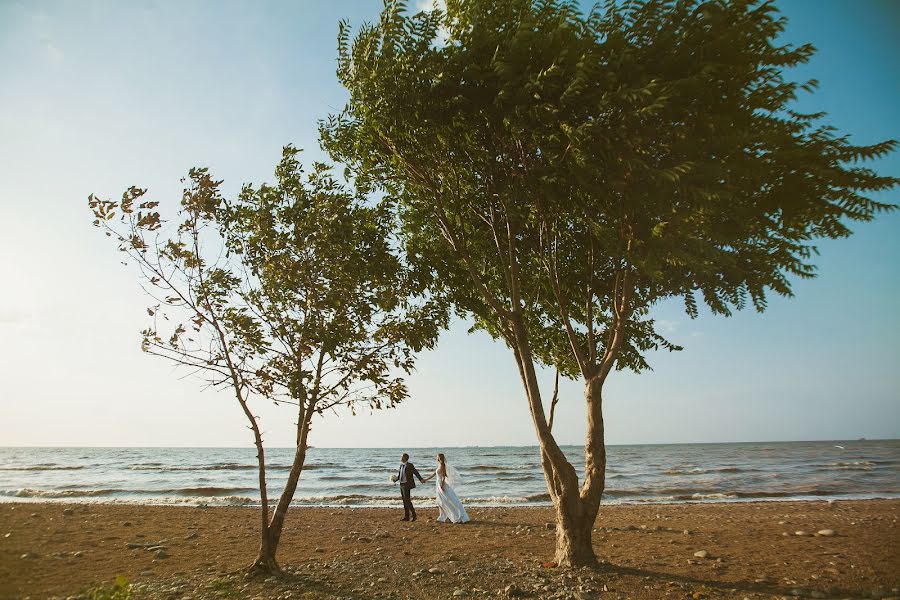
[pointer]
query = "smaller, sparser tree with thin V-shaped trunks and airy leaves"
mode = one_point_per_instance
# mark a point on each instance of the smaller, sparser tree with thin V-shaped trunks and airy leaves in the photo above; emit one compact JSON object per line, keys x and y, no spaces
{"x":291,"y":292}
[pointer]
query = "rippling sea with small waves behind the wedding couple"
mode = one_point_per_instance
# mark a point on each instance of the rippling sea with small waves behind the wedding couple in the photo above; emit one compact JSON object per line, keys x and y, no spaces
{"x":492,"y":476}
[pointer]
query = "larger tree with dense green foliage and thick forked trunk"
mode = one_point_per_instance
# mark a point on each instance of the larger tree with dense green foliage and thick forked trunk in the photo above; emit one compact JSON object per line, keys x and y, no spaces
{"x":560,"y":173}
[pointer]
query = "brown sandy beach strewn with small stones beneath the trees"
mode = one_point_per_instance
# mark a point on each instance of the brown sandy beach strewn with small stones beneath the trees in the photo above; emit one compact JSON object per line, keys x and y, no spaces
{"x":753,"y":550}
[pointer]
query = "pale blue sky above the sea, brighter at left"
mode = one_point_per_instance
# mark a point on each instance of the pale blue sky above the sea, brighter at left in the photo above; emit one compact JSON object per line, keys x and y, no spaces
{"x":96,"y":96}
